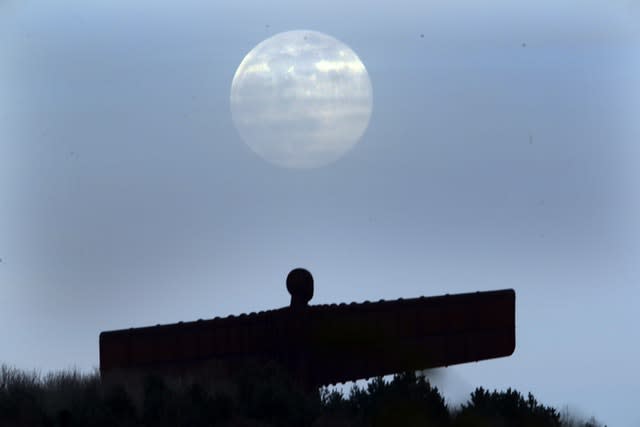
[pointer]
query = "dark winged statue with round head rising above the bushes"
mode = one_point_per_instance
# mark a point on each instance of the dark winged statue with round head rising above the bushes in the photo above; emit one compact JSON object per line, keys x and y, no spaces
{"x":326,"y":344}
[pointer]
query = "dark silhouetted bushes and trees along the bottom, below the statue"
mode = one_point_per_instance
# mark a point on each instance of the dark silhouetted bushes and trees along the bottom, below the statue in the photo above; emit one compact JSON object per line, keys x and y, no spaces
{"x":256,"y":398}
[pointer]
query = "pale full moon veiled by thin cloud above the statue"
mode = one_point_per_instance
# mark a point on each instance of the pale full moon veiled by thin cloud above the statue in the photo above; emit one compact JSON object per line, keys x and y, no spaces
{"x":301,"y":99}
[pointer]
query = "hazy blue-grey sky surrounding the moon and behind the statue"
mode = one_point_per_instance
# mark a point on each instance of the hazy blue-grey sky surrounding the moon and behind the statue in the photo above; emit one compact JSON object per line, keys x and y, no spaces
{"x":501,"y":152}
